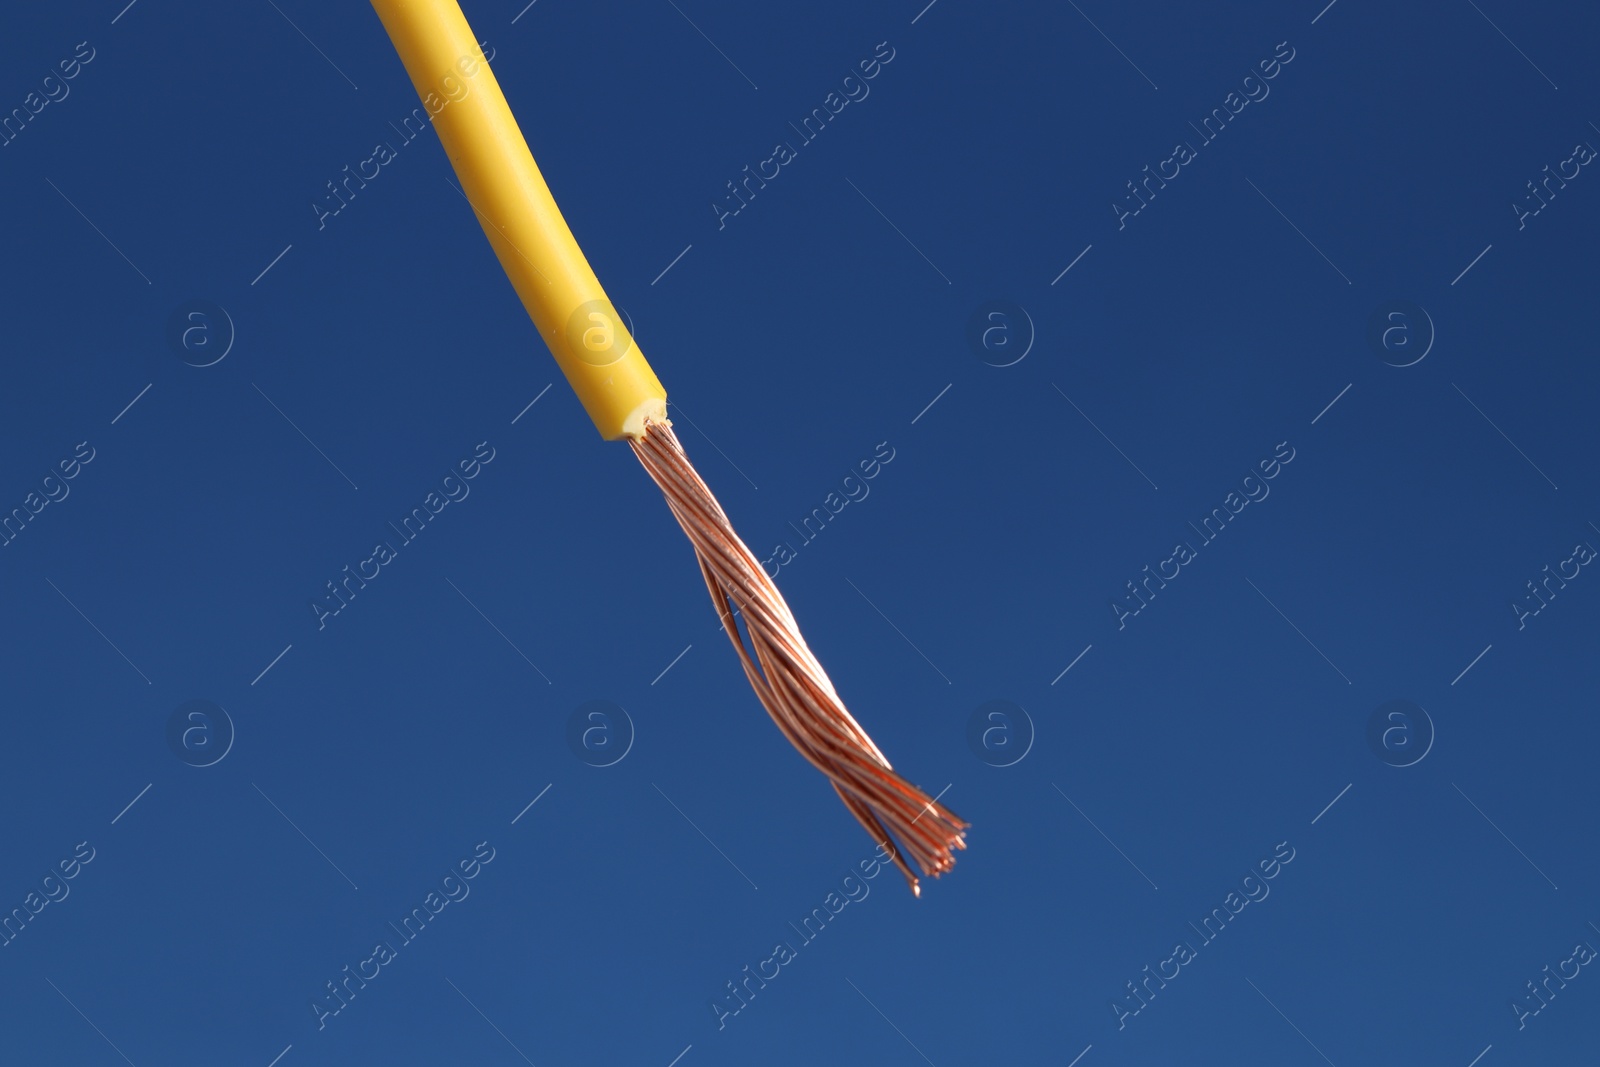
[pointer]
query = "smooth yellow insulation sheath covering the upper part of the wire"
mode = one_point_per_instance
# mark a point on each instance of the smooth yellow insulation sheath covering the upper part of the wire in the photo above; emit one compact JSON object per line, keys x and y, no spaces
{"x":508,"y":194}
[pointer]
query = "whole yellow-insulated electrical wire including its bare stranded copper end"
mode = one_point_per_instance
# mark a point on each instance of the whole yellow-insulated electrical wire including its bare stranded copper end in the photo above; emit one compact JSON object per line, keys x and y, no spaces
{"x":626,"y":401}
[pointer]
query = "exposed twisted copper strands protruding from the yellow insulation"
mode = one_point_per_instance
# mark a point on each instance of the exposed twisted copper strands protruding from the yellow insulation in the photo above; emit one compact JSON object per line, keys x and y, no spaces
{"x":788,"y":679}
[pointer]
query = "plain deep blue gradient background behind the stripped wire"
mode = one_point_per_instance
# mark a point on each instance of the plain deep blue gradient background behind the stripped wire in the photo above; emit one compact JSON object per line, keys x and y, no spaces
{"x":815,"y":326}
